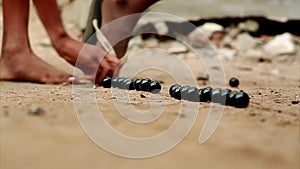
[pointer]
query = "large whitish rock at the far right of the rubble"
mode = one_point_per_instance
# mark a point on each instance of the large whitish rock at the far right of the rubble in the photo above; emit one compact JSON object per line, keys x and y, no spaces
{"x":281,"y":44}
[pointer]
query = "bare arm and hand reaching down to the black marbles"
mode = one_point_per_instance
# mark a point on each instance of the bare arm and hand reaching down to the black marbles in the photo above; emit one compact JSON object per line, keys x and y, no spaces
{"x":70,"y":49}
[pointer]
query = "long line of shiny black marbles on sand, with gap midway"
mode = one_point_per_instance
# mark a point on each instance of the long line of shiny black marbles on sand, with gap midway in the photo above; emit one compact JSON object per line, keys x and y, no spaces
{"x":222,"y":96}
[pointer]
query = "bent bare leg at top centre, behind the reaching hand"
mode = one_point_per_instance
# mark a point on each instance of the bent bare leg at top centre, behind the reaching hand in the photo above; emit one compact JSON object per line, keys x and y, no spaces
{"x":114,"y":9}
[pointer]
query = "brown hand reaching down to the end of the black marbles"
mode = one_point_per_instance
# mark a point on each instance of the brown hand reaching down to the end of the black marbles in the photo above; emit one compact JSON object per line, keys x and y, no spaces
{"x":91,"y":59}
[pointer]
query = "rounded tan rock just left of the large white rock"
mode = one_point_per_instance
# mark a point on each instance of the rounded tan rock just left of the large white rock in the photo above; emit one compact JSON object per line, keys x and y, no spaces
{"x":244,"y":41}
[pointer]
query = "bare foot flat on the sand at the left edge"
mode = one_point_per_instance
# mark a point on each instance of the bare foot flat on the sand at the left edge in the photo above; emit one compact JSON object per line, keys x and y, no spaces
{"x":22,"y":65}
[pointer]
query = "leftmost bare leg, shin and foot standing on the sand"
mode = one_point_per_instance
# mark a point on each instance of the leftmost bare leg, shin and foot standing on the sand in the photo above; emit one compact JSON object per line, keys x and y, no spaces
{"x":18,"y":62}
